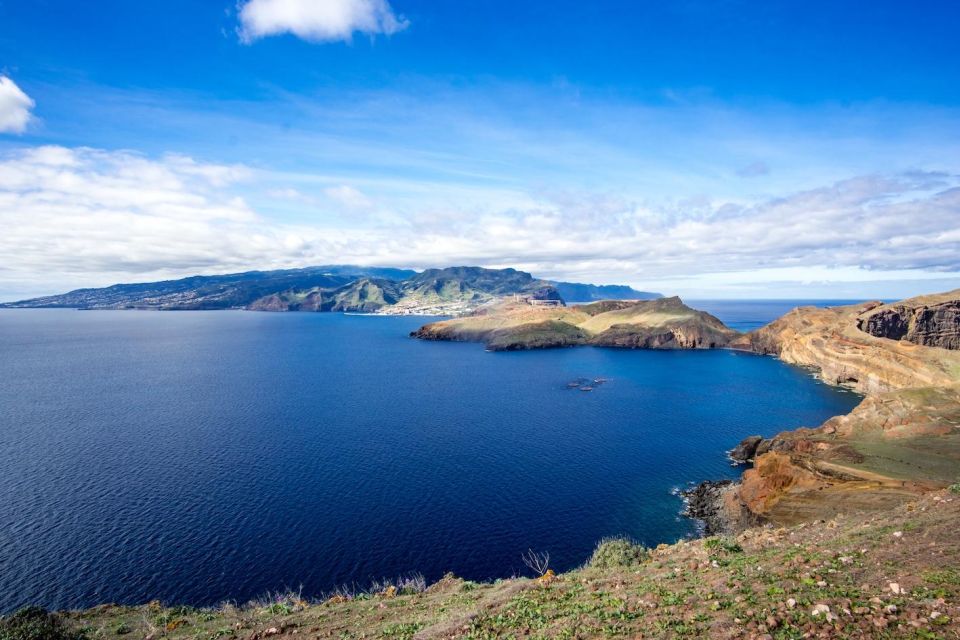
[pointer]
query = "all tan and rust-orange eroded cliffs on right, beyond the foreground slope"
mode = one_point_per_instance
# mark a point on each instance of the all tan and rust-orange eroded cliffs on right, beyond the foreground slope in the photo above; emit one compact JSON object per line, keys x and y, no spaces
{"x":903,"y":438}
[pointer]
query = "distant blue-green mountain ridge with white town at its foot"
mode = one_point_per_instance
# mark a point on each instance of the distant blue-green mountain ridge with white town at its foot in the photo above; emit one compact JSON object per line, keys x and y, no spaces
{"x":335,"y":288}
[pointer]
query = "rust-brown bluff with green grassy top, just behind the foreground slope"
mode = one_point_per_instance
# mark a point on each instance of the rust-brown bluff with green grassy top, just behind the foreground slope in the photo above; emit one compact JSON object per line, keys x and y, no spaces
{"x":890,"y":448}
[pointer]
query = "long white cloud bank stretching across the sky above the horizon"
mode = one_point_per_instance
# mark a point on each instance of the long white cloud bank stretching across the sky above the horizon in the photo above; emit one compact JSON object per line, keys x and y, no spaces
{"x":86,"y":217}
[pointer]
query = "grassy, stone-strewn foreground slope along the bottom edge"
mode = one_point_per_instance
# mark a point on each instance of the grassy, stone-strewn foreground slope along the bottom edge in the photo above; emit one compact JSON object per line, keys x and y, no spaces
{"x":890,"y":575}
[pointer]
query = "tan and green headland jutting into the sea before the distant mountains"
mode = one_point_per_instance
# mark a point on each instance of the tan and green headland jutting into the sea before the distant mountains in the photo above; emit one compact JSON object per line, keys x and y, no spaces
{"x":665,"y":323}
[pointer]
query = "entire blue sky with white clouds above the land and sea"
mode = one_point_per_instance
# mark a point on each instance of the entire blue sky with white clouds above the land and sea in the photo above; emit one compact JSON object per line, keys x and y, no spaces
{"x":706,"y":148}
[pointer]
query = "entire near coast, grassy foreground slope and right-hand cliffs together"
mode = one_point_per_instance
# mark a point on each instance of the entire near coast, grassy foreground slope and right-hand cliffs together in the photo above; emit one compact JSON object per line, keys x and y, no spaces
{"x":883,"y":559}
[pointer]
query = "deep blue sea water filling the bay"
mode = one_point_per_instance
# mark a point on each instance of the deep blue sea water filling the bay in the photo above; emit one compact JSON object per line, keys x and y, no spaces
{"x":196,"y":457}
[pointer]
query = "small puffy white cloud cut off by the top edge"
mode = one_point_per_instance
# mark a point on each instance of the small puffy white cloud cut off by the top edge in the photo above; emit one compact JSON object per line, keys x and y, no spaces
{"x":318,"y":20}
